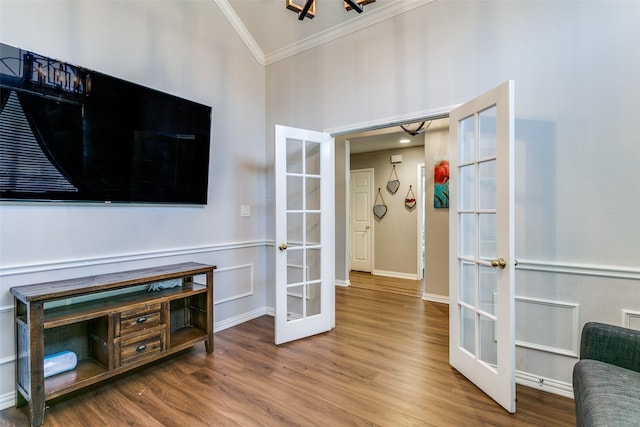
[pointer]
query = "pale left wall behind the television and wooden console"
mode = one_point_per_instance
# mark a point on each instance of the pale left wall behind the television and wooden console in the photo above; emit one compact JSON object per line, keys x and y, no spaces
{"x":187,"y":48}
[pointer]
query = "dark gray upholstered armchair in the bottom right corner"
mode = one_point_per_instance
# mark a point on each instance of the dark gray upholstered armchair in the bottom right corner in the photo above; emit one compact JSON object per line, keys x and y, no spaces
{"x":606,"y":379}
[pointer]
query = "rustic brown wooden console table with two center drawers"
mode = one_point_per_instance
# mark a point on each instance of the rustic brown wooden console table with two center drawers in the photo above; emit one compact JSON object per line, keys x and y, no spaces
{"x":113,"y":324}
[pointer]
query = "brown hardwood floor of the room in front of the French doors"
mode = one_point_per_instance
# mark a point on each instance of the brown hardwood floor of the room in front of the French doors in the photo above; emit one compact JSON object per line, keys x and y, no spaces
{"x":385,"y":364}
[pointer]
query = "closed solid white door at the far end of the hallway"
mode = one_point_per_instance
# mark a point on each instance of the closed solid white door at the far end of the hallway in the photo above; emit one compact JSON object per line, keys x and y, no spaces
{"x":360,"y":216}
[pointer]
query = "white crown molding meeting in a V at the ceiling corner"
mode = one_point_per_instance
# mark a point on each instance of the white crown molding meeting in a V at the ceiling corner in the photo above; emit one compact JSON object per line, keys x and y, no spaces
{"x":367,"y":19}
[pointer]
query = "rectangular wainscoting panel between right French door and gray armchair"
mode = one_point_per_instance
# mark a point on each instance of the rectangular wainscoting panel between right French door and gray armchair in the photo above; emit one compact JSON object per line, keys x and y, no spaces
{"x":550,"y":326}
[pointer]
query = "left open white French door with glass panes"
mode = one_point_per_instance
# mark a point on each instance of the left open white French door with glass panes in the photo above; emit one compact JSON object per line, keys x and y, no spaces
{"x":305,"y":233}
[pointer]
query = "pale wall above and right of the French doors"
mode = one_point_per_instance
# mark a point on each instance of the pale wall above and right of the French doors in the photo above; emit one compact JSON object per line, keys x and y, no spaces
{"x":576,"y":70}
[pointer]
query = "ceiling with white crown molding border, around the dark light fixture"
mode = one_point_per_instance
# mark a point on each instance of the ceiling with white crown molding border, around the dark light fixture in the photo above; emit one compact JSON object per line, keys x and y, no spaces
{"x":272,"y":32}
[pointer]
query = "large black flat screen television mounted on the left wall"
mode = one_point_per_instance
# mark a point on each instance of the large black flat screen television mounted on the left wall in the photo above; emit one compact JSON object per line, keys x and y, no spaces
{"x":72,"y":134}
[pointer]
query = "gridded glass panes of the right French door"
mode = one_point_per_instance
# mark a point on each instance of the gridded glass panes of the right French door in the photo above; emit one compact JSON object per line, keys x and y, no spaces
{"x":477,"y":222}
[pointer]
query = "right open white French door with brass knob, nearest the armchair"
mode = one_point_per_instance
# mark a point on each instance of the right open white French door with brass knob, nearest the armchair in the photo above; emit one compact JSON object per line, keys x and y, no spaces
{"x":481,"y":287}
